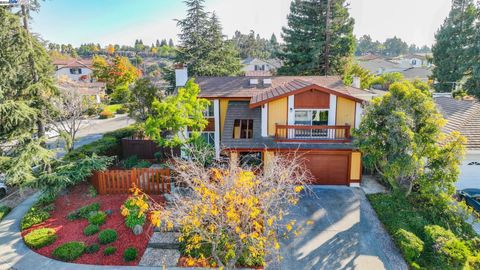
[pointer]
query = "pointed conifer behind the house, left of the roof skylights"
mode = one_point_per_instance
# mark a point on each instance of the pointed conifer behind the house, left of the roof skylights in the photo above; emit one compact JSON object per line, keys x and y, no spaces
{"x":202,"y":44}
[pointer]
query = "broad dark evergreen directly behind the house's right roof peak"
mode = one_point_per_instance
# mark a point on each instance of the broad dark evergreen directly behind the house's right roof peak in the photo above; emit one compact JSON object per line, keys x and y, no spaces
{"x":318,"y":39}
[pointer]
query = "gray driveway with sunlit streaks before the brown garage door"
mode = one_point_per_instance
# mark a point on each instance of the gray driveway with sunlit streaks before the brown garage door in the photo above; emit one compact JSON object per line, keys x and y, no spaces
{"x":345,"y":234}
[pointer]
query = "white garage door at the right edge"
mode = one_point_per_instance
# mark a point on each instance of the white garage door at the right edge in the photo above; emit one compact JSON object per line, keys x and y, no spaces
{"x":469,"y":172}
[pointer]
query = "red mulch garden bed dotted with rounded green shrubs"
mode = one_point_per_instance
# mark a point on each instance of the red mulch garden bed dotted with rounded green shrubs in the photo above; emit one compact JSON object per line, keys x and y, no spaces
{"x":82,"y":227}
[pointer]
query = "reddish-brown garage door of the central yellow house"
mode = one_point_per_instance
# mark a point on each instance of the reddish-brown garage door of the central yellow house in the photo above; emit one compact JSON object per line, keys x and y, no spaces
{"x":328,"y":169}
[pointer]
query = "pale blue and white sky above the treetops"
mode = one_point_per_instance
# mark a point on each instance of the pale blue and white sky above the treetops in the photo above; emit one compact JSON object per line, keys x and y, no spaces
{"x":124,"y":21}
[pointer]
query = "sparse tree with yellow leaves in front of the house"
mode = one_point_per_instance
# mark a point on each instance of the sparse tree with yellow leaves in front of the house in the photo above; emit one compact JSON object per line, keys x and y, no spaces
{"x":236,"y":211}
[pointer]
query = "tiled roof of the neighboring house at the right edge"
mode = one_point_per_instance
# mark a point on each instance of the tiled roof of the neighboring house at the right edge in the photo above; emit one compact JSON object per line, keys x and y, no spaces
{"x":462,"y":116}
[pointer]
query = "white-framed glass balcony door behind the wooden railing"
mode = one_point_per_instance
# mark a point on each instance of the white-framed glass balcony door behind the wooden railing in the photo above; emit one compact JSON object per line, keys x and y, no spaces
{"x":311,"y":118}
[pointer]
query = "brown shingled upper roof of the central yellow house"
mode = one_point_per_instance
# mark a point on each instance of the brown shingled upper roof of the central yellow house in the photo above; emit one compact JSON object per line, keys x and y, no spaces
{"x":240,"y":87}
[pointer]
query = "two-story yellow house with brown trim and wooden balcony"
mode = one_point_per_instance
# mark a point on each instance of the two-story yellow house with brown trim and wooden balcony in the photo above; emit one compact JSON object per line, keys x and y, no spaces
{"x":255,"y":118}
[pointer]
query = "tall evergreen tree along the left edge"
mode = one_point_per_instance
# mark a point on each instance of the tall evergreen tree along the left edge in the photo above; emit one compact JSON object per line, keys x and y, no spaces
{"x":24,"y":93}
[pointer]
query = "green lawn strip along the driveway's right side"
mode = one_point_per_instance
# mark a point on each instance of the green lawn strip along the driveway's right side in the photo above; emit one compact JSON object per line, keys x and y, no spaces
{"x":396,"y":212}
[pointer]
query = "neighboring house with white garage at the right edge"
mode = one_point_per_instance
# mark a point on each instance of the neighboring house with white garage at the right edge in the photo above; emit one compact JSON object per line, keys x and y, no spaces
{"x":464,"y":116}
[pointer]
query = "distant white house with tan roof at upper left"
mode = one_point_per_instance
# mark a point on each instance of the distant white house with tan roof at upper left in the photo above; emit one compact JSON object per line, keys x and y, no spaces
{"x":74,"y":69}
